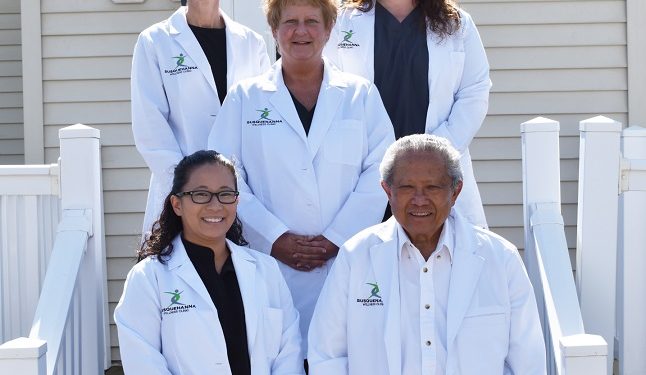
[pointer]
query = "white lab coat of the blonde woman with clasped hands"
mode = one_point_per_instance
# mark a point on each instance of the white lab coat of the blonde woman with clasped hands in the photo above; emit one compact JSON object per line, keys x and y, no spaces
{"x":324,"y":183}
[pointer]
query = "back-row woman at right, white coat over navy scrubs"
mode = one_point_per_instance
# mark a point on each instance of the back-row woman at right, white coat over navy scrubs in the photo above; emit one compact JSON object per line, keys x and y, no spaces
{"x":395,"y":42}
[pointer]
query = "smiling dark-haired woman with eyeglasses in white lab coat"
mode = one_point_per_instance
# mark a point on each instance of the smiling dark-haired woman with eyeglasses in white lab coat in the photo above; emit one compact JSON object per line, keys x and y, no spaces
{"x":198,"y":301}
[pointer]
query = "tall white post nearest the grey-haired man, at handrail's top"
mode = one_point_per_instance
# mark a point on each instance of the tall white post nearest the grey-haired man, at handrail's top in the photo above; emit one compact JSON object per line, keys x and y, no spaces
{"x":541,"y":184}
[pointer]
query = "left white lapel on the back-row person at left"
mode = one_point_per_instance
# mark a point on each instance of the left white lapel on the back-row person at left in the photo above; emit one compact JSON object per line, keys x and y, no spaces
{"x":184,"y":36}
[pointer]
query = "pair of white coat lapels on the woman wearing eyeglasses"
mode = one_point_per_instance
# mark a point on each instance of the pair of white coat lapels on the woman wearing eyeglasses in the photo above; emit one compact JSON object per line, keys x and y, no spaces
{"x":245,"y":266}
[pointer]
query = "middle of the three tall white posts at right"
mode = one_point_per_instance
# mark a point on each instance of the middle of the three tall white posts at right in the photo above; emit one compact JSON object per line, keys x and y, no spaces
{"x":596,"y":253}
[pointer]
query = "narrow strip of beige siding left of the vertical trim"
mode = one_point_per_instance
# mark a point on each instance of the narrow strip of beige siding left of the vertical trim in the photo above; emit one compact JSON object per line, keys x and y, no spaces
{"x":11,"y":129}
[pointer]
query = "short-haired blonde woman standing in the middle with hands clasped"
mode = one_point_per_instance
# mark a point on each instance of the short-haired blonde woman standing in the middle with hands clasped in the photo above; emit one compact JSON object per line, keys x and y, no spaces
{"x":307,"y":140}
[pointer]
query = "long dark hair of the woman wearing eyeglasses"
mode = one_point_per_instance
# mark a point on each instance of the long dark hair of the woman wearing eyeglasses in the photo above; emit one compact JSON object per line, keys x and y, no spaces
{"x":169,"y":225}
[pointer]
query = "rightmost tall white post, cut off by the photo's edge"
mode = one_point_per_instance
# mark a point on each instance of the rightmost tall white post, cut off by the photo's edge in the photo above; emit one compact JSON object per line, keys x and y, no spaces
{"x":631,"y":275}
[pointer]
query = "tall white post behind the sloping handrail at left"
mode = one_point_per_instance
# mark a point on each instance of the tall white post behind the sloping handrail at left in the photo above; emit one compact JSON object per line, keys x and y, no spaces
{"x":81,"y":190}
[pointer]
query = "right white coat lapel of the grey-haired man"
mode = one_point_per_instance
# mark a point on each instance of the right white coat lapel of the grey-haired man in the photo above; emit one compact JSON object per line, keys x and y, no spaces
{"x":465,"y":273}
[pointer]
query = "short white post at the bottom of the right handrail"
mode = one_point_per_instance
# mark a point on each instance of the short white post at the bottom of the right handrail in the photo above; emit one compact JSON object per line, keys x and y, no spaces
{"x":583,"y":355}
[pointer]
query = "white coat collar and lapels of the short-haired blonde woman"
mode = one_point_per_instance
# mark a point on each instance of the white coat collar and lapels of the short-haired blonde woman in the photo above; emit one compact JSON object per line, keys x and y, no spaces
{"x":329,"y":99}
